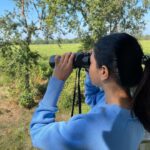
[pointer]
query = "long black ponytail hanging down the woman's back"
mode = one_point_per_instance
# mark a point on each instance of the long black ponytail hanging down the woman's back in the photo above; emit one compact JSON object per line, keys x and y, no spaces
{"x":141,"y":105}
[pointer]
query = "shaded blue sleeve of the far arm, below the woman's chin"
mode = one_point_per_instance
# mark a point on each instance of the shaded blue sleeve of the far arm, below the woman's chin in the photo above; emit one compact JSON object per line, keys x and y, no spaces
{"x":92,"y":93}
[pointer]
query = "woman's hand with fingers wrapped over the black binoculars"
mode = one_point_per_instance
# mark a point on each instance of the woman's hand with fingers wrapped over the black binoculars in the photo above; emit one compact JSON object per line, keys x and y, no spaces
{"x":63,"y":66}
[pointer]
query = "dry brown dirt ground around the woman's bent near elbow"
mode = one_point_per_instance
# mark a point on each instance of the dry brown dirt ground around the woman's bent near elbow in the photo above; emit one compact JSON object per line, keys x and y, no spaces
{"x":15,"y":121}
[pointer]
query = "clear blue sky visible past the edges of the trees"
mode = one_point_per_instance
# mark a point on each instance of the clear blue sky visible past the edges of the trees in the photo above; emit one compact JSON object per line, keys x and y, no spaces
{"x":9,"y":5}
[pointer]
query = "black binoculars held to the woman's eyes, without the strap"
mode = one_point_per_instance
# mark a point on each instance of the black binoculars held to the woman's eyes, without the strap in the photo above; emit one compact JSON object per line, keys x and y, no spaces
{"x":81,"y":60}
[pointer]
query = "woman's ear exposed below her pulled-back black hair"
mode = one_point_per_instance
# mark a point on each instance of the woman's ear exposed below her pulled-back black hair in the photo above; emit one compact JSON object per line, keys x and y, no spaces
{"x":103,"y":73}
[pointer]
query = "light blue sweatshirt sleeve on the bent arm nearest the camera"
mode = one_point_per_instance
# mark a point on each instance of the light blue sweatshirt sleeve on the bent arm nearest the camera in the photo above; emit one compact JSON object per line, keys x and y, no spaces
{"x":47,"y":134}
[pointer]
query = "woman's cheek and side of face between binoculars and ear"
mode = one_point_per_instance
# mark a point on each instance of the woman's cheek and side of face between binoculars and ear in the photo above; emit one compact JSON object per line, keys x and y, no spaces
{"x":93,"y":70}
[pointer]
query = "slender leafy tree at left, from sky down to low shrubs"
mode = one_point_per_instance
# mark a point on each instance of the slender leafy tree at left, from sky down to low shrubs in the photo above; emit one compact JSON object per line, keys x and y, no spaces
{"x":16,"y":31}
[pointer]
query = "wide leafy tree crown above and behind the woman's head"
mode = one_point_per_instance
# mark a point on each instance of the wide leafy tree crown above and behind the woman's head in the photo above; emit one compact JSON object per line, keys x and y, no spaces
{"x":93,"y":19}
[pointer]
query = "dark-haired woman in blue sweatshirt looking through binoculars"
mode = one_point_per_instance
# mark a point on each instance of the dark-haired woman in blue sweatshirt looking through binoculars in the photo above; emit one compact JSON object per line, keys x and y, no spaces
{"x":117,"y":117}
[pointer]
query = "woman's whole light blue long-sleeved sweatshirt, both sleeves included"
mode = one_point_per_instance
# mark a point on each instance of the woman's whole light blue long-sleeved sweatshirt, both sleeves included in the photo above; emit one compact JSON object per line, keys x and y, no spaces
{"x":104,"y":127}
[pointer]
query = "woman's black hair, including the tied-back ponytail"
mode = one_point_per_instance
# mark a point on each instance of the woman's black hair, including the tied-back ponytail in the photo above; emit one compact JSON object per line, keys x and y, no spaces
{"x":122,"y":54}
